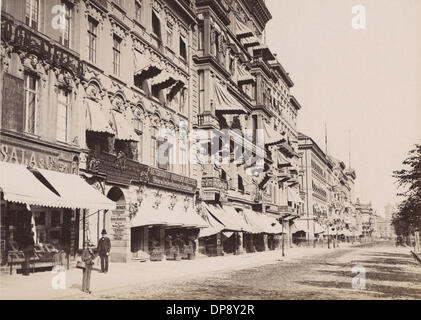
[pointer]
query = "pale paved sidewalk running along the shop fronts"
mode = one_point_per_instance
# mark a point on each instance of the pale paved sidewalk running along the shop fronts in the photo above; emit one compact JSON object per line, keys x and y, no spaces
{"x":39,"y":285}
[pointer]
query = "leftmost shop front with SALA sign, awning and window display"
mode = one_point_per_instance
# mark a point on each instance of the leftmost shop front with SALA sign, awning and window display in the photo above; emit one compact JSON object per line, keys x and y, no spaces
{"x":42,"y":201}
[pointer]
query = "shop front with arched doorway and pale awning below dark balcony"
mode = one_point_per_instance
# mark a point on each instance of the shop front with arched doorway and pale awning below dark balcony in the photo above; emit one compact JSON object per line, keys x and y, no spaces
{"x":156,"y":216}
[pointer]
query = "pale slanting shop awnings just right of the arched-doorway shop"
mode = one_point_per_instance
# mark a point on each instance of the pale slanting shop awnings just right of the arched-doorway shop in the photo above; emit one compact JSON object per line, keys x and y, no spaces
{"x":227,"y":218}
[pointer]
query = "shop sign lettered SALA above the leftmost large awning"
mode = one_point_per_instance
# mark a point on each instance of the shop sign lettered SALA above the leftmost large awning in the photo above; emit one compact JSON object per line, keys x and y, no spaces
{"x":36,"y":156}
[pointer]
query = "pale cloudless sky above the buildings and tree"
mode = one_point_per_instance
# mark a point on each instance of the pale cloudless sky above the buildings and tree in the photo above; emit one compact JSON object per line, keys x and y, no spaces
{"x":367,"y":81}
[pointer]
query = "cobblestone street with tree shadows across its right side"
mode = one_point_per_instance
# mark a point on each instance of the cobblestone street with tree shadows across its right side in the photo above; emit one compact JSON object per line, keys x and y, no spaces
{"x":391,"y":273}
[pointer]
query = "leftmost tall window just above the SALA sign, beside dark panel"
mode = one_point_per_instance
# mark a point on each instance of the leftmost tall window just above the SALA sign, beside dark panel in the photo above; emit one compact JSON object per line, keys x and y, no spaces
{"x":31,"y":96}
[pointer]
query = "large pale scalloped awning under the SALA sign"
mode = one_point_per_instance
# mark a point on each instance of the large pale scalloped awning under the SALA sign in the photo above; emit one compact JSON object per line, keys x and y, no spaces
{"x":48,"y":188}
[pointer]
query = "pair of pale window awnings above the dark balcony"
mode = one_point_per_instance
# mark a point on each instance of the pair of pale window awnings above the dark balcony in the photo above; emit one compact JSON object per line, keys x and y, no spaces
{"x":111,"y":122}
